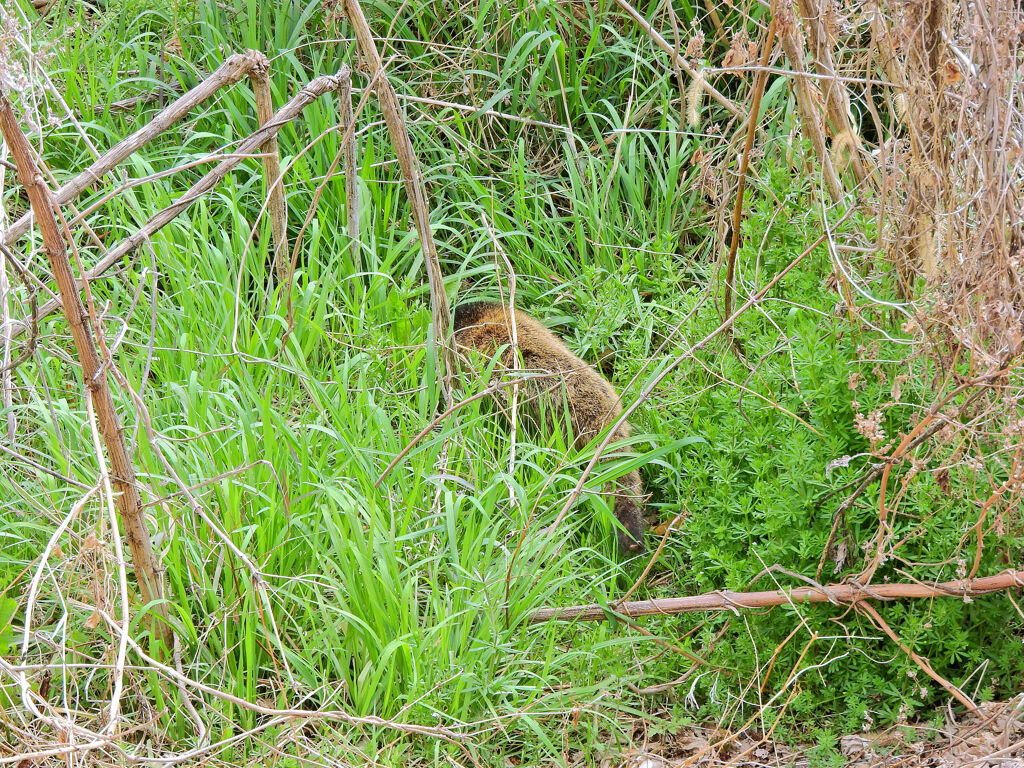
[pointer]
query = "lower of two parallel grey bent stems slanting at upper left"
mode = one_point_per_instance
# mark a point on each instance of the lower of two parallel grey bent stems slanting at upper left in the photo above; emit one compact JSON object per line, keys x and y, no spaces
{"x":310,"y":94}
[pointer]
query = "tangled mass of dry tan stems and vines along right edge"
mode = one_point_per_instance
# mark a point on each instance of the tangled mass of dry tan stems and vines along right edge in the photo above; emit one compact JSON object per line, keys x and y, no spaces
{"x":946,"y":191}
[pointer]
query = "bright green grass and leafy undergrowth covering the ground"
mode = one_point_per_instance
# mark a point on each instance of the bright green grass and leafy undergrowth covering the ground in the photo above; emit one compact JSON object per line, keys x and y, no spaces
{"x":409,"y":600}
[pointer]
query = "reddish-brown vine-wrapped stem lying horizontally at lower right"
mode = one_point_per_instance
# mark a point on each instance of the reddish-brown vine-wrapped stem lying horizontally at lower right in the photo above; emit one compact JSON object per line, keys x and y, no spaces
{"x":838,"y":594}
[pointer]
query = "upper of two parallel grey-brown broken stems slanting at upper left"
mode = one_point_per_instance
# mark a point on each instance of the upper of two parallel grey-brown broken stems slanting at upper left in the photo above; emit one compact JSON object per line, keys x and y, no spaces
{"x":233,"y":70}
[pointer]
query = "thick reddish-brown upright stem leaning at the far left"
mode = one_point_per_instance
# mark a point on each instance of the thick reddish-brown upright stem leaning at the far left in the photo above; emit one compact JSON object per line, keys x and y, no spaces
{"x":95,"y":374}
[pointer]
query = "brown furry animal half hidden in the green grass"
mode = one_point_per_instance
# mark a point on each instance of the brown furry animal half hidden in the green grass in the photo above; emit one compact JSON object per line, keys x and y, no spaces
{"x":592,"y":404}
